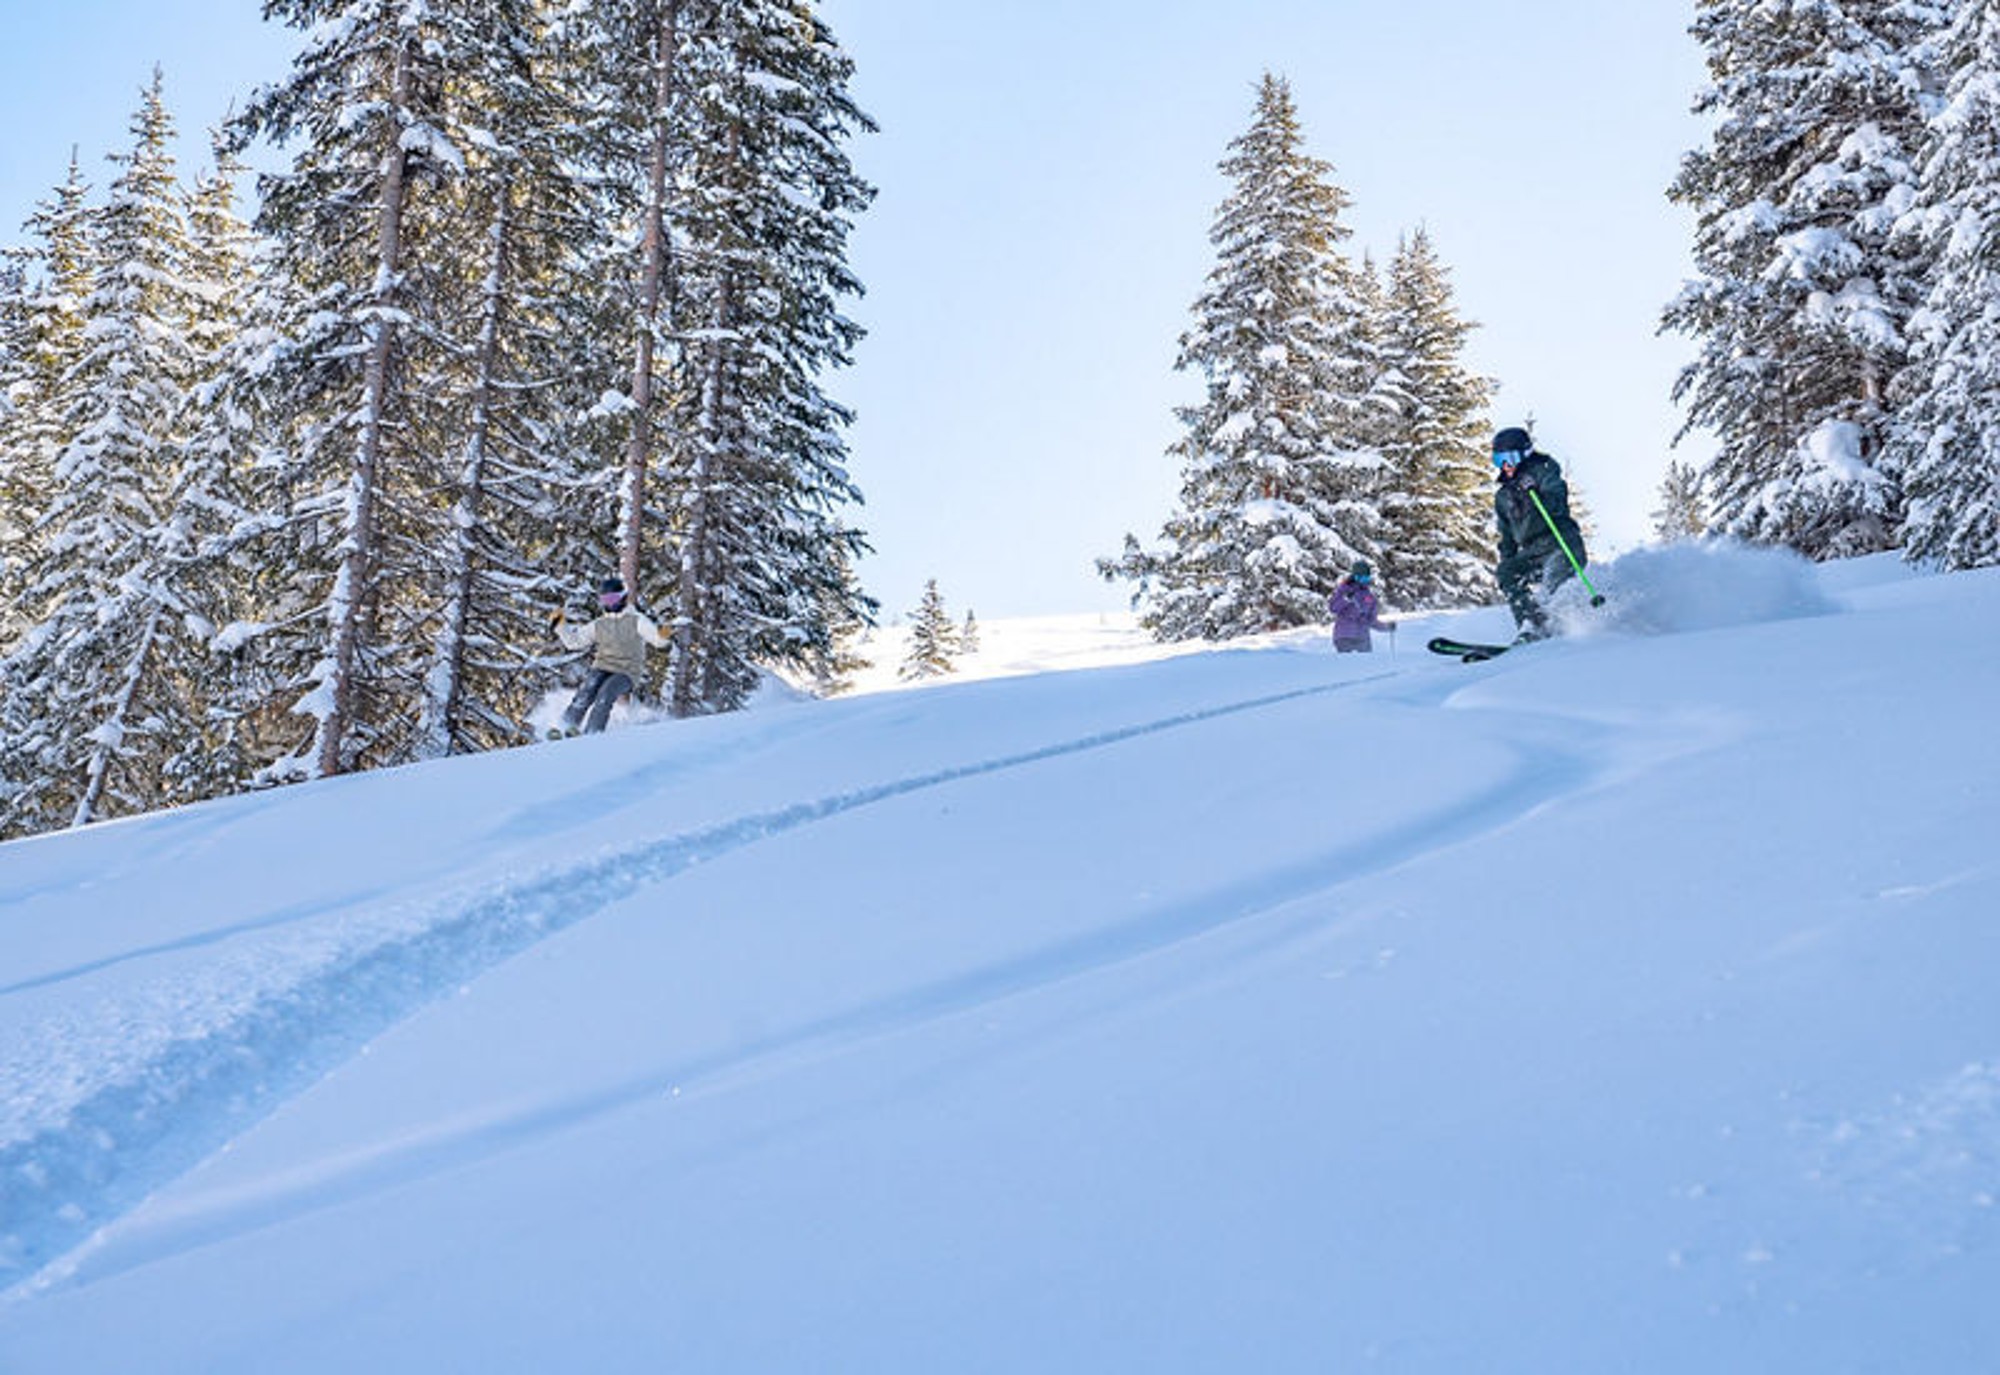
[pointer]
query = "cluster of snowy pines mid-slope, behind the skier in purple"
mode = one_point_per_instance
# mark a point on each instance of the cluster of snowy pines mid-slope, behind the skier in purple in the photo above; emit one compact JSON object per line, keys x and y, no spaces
{"x":1337,"y":425}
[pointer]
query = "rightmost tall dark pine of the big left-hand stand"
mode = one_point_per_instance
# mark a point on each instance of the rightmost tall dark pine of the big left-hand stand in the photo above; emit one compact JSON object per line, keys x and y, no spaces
{"x":759,"y":473}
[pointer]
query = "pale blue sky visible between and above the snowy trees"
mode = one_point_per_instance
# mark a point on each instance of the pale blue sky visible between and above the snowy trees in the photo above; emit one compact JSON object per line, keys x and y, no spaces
{"x":1047,"y":179}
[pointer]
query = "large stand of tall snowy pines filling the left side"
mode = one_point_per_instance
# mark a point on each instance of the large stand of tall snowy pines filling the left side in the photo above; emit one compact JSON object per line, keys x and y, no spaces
{"x":543,"y":293}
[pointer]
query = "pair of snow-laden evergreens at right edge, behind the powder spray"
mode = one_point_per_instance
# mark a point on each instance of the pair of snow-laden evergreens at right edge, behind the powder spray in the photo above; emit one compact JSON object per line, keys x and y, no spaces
{"x":1849,"y":257}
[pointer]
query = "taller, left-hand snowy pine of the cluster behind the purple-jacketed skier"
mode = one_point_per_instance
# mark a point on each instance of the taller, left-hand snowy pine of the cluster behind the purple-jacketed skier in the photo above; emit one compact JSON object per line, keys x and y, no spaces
{"x":1281,"y":485}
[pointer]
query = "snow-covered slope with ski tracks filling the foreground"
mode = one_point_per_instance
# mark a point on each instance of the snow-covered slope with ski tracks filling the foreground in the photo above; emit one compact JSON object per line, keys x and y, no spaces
{"x":1631,"y":1002}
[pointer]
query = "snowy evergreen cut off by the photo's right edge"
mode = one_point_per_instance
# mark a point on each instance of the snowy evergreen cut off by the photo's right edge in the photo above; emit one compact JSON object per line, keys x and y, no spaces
{"x":1949,"y":437}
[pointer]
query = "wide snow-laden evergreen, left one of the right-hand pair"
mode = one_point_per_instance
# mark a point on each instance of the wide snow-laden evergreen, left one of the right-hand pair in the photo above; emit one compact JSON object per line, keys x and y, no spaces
{"x":1805,"y":289}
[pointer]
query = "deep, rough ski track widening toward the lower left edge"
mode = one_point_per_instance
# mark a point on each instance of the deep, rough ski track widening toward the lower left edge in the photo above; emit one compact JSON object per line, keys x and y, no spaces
{"x":241,"y":1052}
